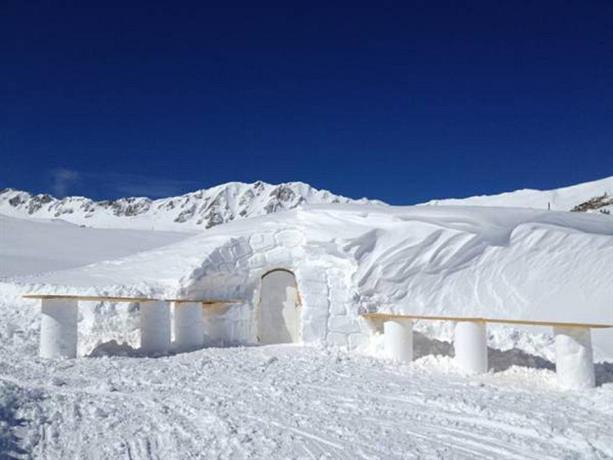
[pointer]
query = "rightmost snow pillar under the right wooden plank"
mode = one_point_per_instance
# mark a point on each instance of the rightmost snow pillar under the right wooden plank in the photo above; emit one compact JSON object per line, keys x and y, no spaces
{"x":574,"y":359}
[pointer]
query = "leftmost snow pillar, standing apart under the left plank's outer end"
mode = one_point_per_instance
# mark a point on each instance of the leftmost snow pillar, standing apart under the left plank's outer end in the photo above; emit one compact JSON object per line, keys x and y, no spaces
{"x":58,"y":328}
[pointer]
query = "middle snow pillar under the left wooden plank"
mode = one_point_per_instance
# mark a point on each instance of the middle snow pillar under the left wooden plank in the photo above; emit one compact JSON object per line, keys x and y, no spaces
{"x":154,"y":327}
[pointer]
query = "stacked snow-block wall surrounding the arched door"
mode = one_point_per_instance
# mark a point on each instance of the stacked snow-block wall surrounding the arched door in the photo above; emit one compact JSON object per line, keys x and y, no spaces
{"x":329,"y":312}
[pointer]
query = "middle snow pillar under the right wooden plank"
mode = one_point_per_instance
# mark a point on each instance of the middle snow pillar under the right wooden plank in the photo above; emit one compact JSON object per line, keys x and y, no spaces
{"x":470,"y":343}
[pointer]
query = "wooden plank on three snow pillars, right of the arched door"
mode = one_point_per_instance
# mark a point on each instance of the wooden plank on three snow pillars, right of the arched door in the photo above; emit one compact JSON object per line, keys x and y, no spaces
{"x":573,"y":344}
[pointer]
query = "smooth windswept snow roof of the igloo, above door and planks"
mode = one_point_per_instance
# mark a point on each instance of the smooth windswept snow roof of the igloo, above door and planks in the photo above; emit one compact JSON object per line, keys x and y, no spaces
{"x":449,"y":261}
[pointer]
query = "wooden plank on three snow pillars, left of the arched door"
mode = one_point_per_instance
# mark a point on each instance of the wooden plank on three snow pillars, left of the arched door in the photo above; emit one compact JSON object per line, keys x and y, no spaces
{"x":58,"y":327}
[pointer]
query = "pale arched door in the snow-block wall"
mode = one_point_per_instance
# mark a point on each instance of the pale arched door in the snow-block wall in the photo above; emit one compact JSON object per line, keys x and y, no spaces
{"x":279,"y":310}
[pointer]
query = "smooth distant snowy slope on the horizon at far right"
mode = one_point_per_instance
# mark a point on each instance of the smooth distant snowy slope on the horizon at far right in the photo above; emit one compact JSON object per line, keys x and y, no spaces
{"x":562,"y":199}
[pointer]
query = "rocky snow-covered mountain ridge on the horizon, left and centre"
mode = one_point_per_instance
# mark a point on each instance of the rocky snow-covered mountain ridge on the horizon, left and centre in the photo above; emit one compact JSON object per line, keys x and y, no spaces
{"x":197,"y":210}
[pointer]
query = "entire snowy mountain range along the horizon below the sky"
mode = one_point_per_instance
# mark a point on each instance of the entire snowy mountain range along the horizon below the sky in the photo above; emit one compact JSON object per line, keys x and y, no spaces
{"x":206,"y":208}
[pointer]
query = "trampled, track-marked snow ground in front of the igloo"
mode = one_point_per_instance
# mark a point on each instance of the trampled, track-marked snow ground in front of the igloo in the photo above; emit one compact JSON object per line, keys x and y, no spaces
{"x":298,"y":402}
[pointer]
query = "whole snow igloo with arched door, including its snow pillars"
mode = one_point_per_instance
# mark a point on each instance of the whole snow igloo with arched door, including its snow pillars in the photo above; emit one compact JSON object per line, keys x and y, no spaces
{"x":343,"y":275}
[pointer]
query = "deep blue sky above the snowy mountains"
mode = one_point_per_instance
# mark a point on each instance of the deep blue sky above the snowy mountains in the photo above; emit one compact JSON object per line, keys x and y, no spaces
{"x":401,"y":103}
